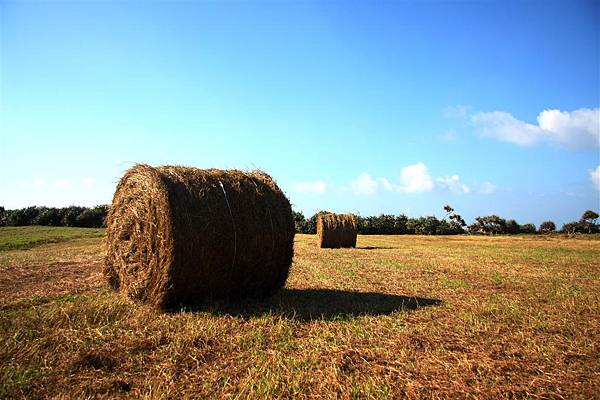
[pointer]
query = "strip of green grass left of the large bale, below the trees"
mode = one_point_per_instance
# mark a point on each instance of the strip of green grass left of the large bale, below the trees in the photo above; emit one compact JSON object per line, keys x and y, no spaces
{"x":24,"y":237}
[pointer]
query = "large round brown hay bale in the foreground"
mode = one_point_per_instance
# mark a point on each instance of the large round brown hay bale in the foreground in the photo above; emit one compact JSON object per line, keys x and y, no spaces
{"x":180,"y":235}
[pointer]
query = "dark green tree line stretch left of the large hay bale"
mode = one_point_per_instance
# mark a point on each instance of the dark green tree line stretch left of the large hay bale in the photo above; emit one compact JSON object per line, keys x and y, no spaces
{"x":84,"y":217}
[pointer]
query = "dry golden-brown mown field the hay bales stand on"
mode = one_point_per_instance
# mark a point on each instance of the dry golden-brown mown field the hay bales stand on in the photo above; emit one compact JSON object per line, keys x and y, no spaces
{"x":398,"y":317}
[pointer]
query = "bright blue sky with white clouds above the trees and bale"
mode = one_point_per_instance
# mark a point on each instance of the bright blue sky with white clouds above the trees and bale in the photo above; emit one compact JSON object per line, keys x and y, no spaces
{"x":368,"y":107}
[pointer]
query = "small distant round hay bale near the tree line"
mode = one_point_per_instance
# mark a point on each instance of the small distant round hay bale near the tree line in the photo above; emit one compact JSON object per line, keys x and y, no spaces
{"x":336,"y":230}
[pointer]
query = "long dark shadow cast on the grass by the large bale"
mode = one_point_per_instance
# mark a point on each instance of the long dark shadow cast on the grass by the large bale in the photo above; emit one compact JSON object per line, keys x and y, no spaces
{"x":317,"y":304}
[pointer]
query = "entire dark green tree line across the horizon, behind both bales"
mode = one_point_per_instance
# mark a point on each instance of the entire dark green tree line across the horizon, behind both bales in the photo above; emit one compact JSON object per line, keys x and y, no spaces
{"x":385,"y":224}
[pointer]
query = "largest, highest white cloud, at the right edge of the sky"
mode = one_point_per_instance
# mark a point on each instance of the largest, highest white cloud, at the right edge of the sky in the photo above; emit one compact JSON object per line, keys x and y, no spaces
{"x":577,"y":129}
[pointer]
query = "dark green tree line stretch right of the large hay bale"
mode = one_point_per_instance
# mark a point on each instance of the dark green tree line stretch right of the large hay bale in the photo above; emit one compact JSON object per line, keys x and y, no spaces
{"x":451,"y":224}
